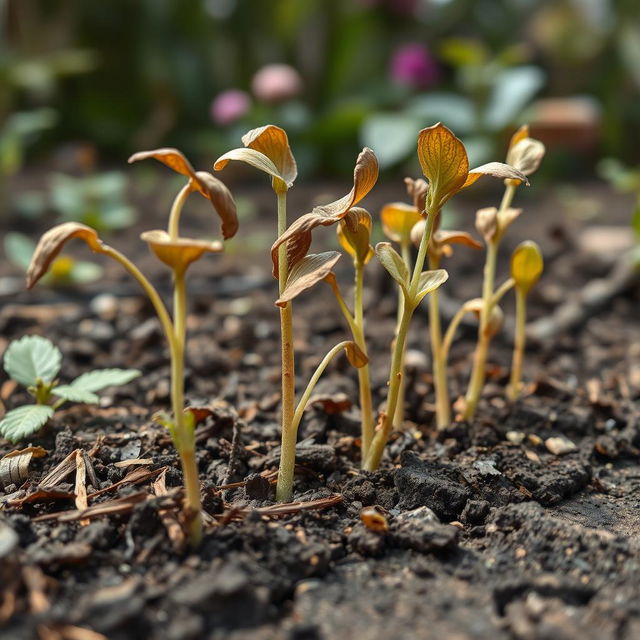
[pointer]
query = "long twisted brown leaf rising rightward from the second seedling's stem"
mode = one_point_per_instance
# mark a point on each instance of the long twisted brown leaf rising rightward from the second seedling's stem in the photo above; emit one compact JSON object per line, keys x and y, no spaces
{"x":298,"y":236}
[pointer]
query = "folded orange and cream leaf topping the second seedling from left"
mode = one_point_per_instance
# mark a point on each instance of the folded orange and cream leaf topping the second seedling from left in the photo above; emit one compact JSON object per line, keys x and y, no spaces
{"x":267,"y":149}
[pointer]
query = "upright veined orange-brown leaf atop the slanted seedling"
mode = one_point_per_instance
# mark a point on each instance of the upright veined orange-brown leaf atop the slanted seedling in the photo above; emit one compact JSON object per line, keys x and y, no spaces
{"x":444,"y":162}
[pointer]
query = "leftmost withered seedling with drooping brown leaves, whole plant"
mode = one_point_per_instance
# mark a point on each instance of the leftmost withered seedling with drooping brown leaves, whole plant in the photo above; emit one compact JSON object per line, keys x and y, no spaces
{"x":177,"y":253}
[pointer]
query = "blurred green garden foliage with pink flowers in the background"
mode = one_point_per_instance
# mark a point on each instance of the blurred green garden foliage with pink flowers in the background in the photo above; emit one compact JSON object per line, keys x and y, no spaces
{"x":84,"y":84}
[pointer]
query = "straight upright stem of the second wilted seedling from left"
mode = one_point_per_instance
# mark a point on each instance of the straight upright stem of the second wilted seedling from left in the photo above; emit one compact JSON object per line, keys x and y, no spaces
{"x":284,"y":487}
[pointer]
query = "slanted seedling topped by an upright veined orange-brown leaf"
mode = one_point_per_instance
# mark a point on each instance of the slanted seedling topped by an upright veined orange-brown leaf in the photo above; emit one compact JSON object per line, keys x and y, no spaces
{"x":444,"y":163}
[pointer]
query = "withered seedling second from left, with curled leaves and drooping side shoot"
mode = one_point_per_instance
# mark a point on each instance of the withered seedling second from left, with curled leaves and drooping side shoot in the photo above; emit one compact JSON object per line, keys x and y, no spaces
{"x":267,"y":149}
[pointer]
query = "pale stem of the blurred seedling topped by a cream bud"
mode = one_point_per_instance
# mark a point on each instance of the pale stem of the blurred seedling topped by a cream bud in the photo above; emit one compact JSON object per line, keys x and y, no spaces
{"x":476,"y":382}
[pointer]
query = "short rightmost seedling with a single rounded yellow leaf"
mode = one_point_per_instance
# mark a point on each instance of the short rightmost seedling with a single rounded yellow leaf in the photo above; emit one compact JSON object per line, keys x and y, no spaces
{"x":526,"y":269}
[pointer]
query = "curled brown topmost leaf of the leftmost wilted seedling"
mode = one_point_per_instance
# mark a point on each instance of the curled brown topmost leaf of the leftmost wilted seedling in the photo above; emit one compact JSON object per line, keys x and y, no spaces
{"x":201,"y":181}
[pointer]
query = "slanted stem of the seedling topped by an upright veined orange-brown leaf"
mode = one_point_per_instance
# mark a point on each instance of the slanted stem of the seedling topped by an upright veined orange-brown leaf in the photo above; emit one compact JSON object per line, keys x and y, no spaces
{"x":395,"y":377}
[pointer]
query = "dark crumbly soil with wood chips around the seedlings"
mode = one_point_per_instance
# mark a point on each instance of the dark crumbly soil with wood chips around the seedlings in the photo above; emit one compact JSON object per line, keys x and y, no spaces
{"x":482,"y":532}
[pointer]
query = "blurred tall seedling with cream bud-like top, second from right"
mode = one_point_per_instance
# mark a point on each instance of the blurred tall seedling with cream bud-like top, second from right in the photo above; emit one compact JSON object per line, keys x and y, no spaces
{"x":525,"y":155}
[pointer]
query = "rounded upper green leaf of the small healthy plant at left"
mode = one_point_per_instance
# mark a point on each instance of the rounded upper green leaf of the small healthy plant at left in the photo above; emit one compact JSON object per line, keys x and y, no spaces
{"x":30,"y":358}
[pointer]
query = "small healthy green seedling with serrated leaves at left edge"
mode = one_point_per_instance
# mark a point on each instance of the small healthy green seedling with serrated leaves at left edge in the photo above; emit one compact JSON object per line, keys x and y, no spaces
{"x":35,"y":362}
